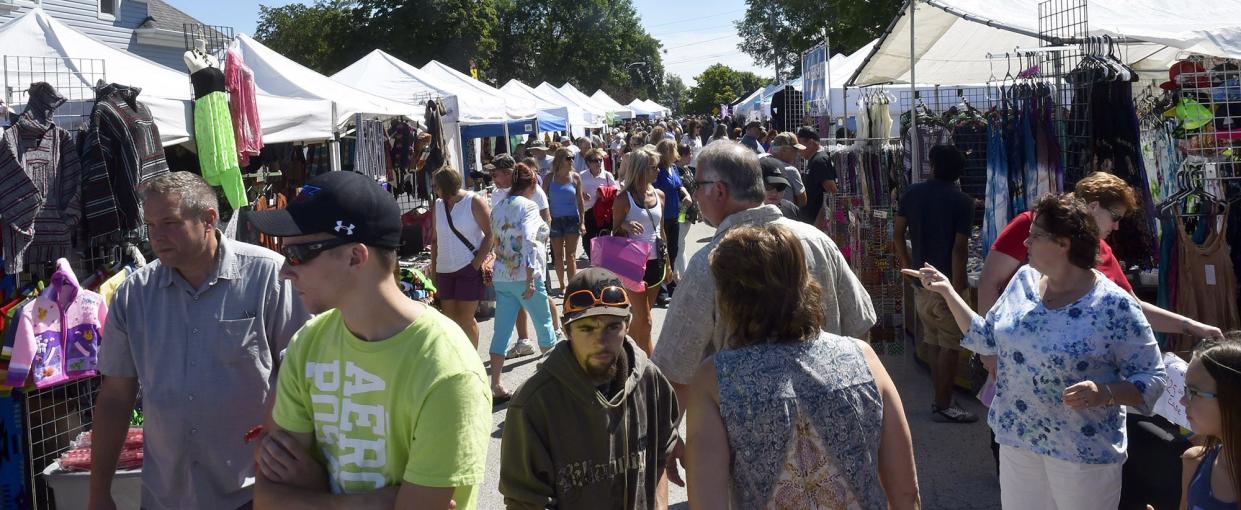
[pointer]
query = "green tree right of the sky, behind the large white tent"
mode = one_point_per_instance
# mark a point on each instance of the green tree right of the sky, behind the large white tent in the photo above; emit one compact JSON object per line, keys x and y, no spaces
{"x":775,"y":33}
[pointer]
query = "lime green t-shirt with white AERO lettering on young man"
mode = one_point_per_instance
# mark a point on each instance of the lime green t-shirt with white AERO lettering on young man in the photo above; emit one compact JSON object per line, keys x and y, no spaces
{"x":415,"y":408}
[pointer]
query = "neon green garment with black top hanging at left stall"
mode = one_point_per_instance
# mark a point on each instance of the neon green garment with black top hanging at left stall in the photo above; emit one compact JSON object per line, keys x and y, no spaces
{"x":214,"y":136}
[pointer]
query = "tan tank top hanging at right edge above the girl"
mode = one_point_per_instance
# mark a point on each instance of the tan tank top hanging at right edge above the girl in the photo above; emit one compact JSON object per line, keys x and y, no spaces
{"x":1207,"y":287}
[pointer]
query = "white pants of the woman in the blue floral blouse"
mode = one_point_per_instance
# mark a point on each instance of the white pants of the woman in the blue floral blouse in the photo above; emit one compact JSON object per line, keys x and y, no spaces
{"x":1034,"y":482}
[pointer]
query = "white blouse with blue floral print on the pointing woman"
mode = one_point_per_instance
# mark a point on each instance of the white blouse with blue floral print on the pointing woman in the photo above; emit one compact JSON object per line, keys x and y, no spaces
{"x":1103,"y":337}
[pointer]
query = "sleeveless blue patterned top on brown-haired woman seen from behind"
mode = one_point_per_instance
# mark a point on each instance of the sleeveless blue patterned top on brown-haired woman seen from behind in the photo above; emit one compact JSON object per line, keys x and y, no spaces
{"x":804,"y":423}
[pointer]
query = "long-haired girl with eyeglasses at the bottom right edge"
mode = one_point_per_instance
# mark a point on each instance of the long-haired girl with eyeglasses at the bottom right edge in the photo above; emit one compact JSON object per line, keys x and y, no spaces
{"x":1213,"y":405}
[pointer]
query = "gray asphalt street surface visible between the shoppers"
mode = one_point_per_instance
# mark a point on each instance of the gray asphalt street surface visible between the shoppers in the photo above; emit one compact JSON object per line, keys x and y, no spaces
{"x":956,"y":468}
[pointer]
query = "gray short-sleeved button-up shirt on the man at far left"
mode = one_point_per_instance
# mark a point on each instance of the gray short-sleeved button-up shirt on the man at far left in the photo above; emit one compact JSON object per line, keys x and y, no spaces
{"x":204,"y":359}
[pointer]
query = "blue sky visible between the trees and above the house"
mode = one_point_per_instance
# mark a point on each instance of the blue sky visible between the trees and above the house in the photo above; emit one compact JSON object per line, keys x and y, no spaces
{"x":696,"y":34}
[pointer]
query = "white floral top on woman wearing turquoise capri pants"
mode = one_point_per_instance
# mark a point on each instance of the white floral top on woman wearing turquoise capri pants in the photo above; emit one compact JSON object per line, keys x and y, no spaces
{"x":521,"y":240}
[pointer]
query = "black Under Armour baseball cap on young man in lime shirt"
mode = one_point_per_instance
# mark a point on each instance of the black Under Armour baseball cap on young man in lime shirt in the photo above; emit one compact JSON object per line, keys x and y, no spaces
{"x":344,"y":204}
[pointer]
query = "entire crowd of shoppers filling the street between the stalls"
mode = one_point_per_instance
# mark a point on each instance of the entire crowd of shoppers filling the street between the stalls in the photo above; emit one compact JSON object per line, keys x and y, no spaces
{"x":379,"y":401}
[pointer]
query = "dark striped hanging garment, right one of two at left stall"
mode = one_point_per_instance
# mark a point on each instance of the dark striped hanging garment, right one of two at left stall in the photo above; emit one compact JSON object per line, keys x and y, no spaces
{"x":122,"y":151}
